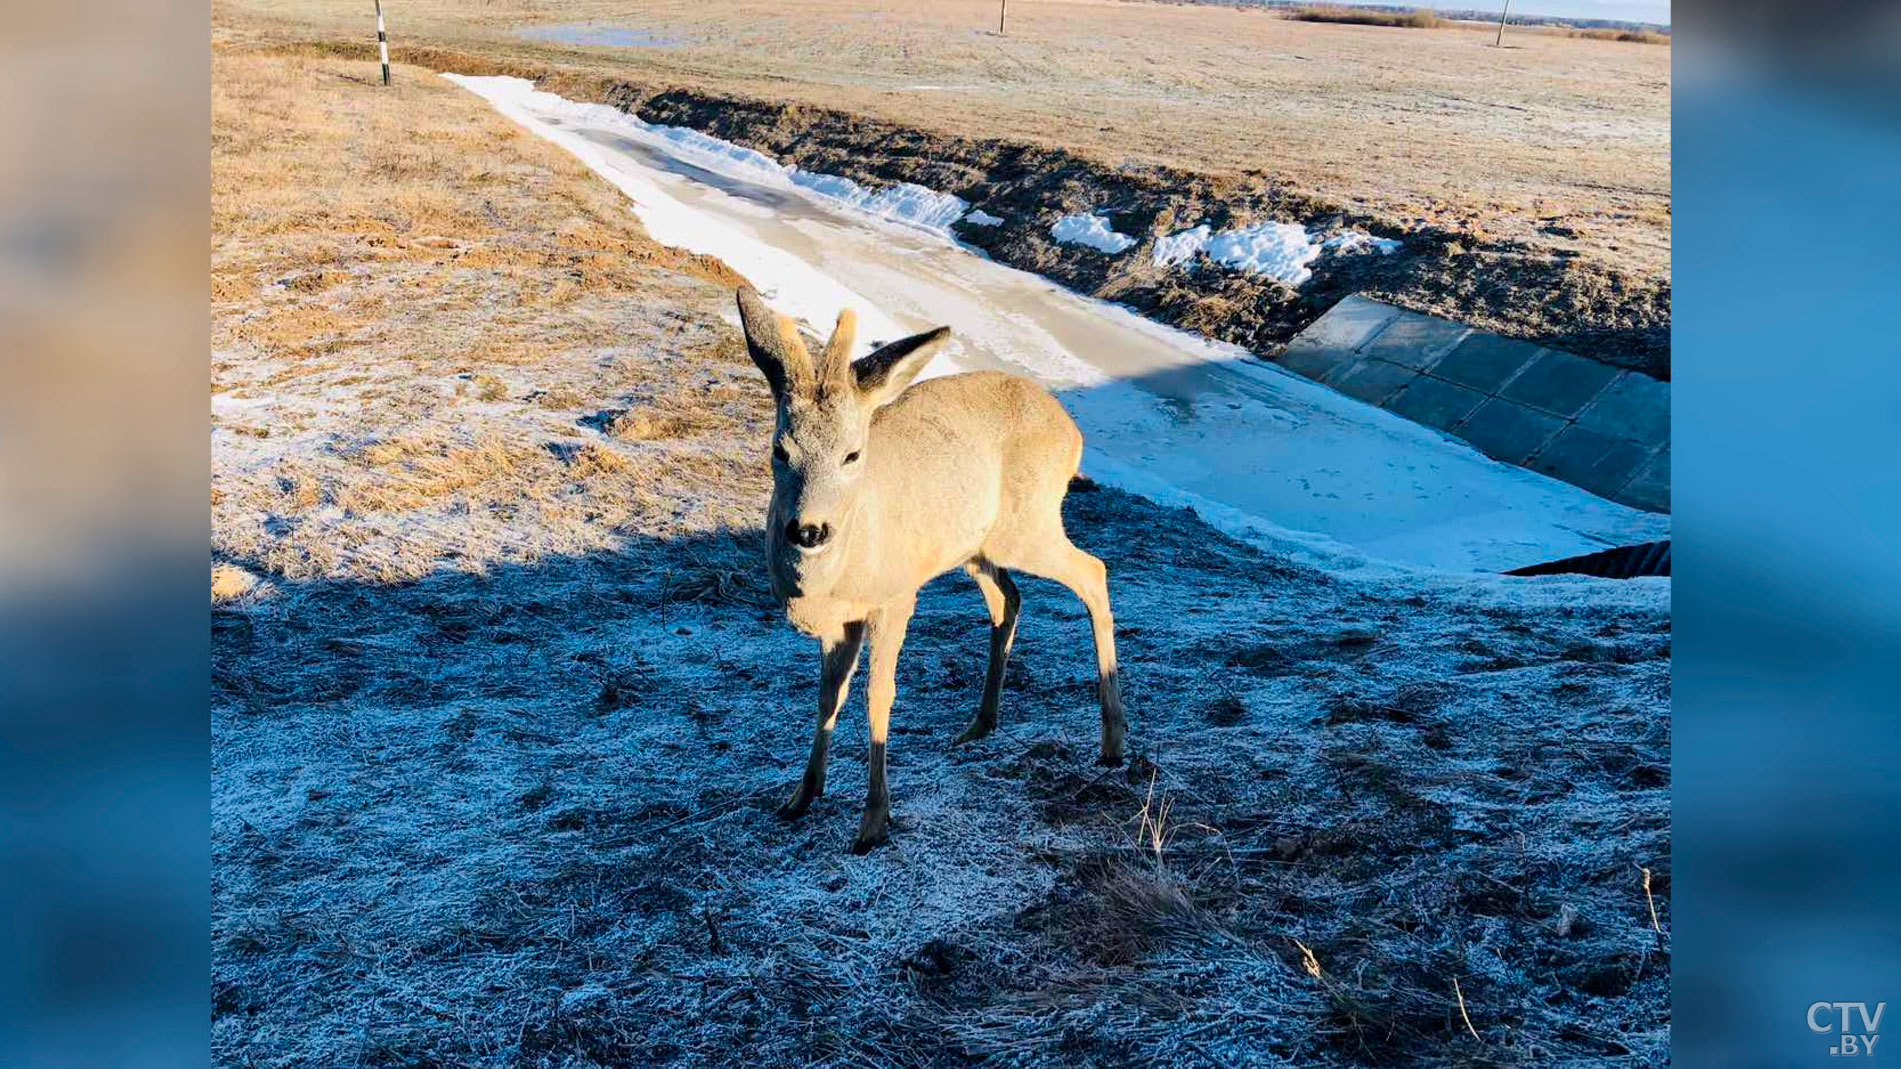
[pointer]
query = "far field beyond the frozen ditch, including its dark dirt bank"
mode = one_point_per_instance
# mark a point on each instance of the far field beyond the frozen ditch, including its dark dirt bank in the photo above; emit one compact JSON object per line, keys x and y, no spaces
{"x":1531,"y":184}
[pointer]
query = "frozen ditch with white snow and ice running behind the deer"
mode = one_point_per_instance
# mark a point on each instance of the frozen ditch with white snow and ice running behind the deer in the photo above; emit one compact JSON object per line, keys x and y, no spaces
{"x":1258,"y":452}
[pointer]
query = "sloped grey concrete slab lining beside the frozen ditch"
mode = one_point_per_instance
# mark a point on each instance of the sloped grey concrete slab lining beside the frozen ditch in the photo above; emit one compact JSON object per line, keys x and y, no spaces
{"x":1575,"y":419}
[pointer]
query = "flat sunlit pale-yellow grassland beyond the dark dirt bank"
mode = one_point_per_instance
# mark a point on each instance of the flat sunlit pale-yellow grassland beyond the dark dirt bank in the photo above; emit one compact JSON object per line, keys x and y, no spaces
{"x":1556,"y":142}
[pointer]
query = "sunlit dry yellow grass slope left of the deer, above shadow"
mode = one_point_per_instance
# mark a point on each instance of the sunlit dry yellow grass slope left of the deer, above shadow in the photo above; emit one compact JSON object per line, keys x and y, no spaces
{"x":419,"y":317}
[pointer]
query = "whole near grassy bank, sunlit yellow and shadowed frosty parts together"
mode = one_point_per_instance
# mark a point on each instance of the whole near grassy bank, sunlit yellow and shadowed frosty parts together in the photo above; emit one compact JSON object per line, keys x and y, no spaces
{"x":501,"y":707}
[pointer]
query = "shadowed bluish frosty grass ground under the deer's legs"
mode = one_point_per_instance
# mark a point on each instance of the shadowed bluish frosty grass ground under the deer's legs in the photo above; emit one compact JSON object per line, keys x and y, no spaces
{"x":528,"y":819}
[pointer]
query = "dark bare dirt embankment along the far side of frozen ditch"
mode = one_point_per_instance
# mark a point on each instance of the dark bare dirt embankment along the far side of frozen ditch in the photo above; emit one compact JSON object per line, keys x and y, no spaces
{"x":1545,"y":296}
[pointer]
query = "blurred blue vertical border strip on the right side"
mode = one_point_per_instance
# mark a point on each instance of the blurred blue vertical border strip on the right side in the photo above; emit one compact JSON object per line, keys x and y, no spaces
{"x":1788,"y":593}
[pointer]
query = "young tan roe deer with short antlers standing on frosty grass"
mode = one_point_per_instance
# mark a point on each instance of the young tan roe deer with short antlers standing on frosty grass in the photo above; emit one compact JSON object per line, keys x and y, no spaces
{"x":879,"y":490}
